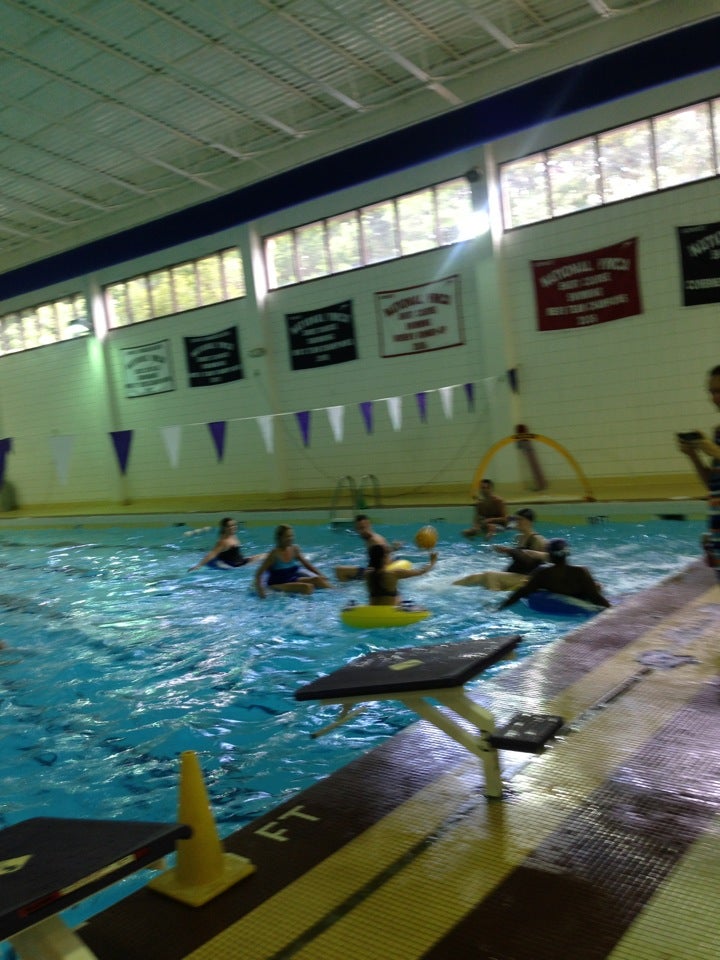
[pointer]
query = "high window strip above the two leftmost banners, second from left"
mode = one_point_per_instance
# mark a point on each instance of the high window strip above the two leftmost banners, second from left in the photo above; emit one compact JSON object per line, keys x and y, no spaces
{"x":184,"y":286}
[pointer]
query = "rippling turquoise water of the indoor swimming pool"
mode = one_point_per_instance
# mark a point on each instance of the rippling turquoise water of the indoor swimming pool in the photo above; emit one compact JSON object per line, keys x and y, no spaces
{"x":117,"y":659}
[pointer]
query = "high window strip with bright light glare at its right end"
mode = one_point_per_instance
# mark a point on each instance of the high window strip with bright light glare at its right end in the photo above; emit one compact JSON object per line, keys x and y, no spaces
{"x":424,"y":220}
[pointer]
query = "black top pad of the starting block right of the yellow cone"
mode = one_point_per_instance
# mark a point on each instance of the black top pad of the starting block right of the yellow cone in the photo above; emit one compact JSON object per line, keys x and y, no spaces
{"x":407,"y":669}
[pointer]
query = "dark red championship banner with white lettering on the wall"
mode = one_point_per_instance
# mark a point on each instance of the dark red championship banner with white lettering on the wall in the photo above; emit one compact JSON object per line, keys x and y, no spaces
{"x":587,"y":289}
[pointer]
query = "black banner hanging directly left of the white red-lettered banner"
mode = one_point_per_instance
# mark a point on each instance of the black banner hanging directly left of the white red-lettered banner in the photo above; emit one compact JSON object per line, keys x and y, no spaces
{"x":320,"y":338}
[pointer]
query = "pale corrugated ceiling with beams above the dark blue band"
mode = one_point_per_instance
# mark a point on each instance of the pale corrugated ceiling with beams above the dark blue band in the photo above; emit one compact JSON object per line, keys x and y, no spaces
{"x":117,"y":112}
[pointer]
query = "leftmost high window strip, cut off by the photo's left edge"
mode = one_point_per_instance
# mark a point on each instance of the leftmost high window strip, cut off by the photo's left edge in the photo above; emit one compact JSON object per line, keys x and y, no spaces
{"x":45,"y":323}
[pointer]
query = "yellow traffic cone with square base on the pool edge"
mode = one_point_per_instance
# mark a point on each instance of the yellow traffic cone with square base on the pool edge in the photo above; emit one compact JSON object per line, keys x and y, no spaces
{"x":202,"y":869}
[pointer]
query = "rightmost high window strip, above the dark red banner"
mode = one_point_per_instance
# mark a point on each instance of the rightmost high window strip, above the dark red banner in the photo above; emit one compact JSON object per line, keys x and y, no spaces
{"x":639,"y":158}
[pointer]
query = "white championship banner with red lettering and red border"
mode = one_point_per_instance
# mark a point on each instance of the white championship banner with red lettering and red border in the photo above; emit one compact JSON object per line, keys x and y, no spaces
{"x":420,"y":319}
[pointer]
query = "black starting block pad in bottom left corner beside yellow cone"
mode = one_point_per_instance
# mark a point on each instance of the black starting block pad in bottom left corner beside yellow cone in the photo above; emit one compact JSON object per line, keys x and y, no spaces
{"x":48,"y":863}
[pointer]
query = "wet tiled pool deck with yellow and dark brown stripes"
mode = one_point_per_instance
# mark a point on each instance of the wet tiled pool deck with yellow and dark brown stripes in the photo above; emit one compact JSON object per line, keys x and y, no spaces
{"x":606,"y":845}
